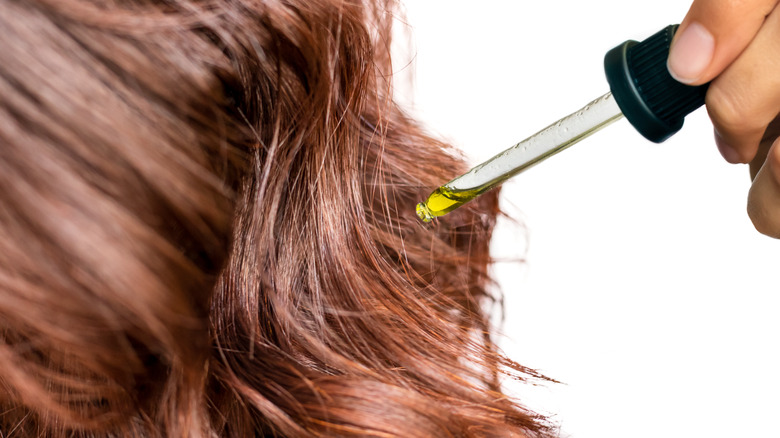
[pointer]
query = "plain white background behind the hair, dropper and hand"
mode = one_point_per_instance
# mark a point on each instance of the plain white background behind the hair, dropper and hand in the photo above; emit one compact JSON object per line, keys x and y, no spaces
{"x":645,"y":288}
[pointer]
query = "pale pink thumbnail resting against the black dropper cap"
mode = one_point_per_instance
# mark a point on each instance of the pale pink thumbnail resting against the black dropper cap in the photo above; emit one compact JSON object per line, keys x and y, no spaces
{"x":691,"y":53}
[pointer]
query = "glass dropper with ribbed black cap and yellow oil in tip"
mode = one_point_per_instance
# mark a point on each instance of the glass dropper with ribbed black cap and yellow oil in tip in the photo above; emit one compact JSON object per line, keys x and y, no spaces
{"x":642,"y":90}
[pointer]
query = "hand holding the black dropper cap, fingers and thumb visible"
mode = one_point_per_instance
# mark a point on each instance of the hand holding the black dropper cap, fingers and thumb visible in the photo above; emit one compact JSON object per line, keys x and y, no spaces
{"x":736,"y":45}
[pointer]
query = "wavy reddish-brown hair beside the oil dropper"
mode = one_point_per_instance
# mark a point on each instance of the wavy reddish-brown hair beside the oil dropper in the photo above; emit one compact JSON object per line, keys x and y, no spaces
{"x":207,"y":228}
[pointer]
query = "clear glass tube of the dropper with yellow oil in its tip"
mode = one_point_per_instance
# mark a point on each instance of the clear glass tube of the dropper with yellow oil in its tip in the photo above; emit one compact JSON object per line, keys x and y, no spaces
{"x":536,"y":148}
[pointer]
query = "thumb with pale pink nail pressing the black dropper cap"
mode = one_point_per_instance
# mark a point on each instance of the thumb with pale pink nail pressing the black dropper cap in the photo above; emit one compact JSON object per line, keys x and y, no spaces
{"x":712,"y":36}
